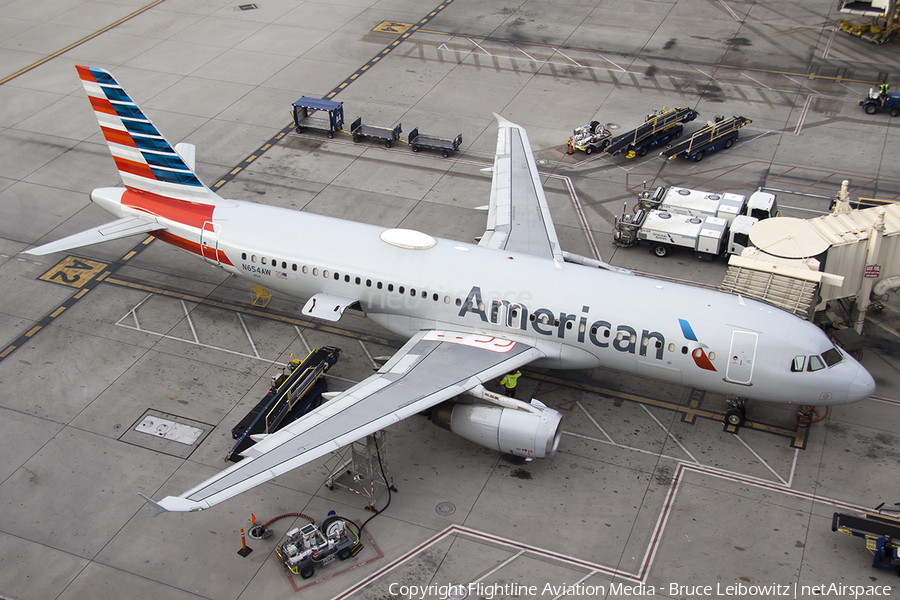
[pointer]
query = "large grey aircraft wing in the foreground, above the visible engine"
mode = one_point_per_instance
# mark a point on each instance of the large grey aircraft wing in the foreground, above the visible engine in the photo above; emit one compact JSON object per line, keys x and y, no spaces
{"x":432,"y":367}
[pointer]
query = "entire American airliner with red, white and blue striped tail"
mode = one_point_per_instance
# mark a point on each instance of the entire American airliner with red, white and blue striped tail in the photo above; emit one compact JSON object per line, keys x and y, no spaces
{"x":471,"y":312}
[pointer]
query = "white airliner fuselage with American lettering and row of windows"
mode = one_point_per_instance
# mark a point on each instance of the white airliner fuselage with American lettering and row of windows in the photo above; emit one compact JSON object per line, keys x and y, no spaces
{"x":580,"y":317}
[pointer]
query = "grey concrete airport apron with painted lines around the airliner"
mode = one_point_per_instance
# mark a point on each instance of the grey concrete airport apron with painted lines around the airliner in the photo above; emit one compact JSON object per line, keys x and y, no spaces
{"x":647,"y":496}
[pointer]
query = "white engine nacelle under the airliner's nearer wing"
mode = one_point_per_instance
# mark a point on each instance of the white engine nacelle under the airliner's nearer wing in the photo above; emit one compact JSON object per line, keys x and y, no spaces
{"x":503,"y":429}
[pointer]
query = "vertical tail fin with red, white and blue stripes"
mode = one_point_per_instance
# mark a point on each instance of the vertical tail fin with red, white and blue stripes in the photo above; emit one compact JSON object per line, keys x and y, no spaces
{"x":146,"y":161}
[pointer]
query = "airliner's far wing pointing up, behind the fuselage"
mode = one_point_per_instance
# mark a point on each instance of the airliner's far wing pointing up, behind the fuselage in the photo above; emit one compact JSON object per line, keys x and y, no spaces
{"x":518,"y":216}
